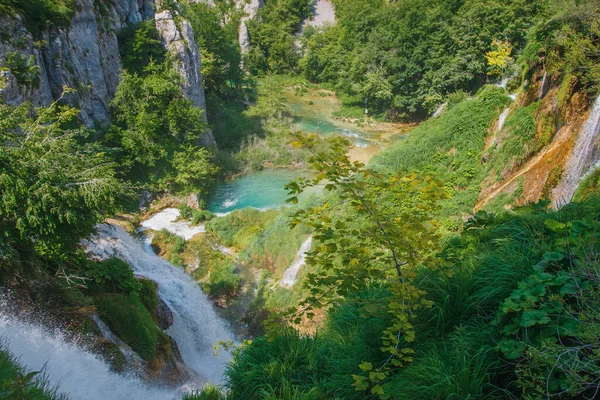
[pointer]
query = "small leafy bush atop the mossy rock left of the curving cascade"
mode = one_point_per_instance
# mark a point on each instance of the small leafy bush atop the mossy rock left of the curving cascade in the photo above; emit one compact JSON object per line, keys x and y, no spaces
{"x":112,"y":276}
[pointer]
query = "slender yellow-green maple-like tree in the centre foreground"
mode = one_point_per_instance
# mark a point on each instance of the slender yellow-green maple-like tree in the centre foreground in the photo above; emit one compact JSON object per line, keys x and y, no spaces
{"x":381,"y":230}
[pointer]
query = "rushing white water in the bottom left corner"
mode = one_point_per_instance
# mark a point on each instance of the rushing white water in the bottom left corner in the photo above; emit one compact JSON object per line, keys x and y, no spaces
{"x":71,"y":368}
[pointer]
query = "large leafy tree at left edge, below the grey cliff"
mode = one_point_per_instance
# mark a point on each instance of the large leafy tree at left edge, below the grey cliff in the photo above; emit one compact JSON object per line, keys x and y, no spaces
{"x":55,"y":187}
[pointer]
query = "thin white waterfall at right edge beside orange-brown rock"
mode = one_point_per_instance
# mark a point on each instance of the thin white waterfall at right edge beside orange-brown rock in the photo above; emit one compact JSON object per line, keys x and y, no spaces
{"x":583,"y":157}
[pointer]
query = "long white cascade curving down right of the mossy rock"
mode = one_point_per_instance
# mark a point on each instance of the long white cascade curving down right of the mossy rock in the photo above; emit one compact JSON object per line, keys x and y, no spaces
{"x":196,"y":327}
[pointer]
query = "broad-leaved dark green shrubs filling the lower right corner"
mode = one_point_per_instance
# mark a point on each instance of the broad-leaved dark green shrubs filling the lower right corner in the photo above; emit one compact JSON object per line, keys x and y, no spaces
{"x":551,"y":320}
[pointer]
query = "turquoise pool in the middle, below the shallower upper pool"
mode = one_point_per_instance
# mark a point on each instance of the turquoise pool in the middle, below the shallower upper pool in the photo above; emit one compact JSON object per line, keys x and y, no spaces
{"x":258,"y":189}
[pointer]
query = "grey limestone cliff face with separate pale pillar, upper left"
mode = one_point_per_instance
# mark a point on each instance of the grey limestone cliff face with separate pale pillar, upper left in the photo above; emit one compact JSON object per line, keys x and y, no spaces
{"x":85,"y":57}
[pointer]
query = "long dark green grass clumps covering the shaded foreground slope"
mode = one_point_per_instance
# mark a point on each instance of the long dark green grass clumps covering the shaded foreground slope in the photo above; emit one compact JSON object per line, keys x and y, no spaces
{"x":456,"y":353}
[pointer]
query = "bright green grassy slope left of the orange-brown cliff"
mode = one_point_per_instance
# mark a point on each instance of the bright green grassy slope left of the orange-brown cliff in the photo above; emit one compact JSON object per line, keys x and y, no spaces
{"x":450,"y":148}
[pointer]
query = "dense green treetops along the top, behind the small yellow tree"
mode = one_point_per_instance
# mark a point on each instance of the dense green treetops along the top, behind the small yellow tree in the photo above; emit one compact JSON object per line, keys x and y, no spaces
{"x":406,"y":57}
